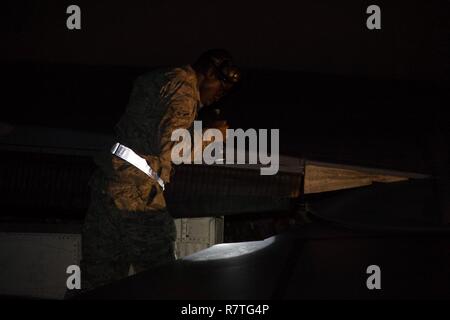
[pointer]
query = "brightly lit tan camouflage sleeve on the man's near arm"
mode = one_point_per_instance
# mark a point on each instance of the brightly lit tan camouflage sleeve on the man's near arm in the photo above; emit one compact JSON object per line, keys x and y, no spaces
{"x":181,"y":112}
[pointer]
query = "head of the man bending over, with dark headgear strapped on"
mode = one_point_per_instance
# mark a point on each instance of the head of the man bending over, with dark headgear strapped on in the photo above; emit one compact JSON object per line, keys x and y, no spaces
{"x":216,"y":75}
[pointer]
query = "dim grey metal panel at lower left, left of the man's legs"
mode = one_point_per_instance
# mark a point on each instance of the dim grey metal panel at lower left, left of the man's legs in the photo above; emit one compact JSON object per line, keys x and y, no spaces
{"x":35,"y":264}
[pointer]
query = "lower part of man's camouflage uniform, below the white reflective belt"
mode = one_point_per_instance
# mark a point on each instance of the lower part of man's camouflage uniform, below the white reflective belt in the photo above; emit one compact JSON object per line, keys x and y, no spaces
{"x":127,"y":224}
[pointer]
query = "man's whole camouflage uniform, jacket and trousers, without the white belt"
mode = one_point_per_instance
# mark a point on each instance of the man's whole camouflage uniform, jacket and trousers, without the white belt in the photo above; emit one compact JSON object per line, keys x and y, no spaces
{"x":127,"y":221}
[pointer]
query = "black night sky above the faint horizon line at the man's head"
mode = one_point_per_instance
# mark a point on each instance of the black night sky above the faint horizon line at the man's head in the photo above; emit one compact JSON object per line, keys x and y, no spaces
{"x":316,"y":36}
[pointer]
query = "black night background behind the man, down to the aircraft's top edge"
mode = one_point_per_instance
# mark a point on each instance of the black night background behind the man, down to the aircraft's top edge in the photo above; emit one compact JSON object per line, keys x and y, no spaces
{"x":337,"y":90}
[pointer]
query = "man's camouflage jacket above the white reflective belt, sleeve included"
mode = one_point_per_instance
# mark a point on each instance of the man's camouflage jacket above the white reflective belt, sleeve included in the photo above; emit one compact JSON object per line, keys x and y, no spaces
{"x":161,"y":101}
